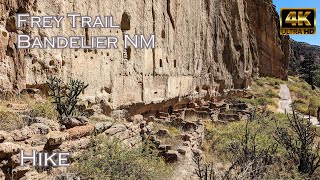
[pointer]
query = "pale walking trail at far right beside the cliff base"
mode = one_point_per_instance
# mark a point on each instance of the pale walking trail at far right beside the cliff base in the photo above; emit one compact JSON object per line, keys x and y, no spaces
{"x":286,"y":101}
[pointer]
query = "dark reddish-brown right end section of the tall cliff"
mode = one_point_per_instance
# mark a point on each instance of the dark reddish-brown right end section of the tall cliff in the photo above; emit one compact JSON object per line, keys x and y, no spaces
{"x":273,"y":50}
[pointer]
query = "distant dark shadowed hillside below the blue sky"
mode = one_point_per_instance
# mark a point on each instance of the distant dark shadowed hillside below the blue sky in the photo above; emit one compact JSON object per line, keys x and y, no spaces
{"x":298,"y":51}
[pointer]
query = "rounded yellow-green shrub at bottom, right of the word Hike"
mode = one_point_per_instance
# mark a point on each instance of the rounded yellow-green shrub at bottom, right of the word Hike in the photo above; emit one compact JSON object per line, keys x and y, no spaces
{"x":109,"y":159}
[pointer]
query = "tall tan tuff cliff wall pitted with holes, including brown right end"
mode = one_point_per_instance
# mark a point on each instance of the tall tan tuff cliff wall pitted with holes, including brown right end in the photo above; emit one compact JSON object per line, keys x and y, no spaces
{"x":203,"y":47}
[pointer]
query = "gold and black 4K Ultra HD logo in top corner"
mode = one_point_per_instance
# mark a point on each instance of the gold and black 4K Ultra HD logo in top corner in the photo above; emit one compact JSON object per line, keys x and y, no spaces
{"x":297,"y":21}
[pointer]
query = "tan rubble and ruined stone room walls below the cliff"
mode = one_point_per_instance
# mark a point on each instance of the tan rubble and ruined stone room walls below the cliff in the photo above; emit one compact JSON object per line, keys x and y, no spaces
{"x":177,"y":134}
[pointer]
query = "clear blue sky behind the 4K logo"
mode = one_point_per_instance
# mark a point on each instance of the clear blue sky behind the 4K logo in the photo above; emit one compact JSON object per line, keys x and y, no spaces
{"x":311,"y":39}
